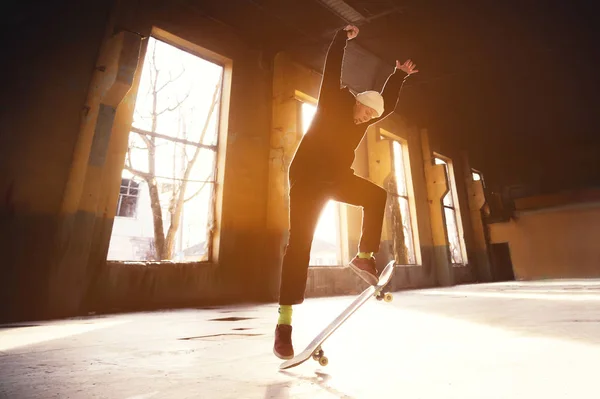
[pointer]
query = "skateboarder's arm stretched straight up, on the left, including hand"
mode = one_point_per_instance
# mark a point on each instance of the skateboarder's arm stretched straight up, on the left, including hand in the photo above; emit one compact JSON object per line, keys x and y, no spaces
{"x":332,"y":72}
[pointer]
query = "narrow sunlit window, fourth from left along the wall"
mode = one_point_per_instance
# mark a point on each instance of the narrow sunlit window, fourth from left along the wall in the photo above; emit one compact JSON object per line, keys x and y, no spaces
{"x":452,"y":215}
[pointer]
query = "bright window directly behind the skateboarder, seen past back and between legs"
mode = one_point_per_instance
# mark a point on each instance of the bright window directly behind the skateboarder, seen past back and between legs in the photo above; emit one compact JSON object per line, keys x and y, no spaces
{"x":325,"y":248}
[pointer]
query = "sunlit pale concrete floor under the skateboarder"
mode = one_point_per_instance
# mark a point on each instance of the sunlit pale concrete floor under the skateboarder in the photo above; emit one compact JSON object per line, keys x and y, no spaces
{"x":507,"y":340}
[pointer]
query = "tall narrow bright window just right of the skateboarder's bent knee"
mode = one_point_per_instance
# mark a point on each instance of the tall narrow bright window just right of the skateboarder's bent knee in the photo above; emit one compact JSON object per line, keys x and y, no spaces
{"x":403,"y":195}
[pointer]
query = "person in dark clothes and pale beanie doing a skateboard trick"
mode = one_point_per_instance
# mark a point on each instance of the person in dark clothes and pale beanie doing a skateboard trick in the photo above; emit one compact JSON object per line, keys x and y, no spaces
{"x":322,"y":170}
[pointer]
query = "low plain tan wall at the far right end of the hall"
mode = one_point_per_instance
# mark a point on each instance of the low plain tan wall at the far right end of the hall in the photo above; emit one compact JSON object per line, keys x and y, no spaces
{"x":553,"y":236}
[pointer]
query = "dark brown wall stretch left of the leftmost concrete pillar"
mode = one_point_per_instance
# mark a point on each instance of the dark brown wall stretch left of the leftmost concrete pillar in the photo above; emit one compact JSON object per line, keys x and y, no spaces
{"x":48,"y":64}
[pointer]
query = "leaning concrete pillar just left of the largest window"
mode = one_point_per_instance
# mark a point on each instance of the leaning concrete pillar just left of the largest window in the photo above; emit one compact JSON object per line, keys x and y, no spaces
{"x":112,"y":79}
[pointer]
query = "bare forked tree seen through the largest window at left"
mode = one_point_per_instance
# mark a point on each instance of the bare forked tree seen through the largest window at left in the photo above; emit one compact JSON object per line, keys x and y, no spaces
{"x":164,"y":244}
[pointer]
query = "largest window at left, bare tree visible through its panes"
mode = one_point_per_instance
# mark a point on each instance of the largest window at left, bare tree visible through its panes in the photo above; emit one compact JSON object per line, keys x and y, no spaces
{"x":168,"y":180}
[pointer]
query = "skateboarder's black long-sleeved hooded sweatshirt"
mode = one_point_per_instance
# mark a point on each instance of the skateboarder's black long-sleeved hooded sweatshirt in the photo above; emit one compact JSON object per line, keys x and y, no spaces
{"x":327,"y":148}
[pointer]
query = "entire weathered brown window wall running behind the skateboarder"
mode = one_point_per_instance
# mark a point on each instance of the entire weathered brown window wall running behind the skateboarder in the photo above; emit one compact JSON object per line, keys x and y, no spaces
{"x":63,"y":146}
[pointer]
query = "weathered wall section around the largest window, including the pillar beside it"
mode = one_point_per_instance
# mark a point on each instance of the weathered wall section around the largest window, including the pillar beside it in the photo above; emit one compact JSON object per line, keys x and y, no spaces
{"x":63,"y":142}
